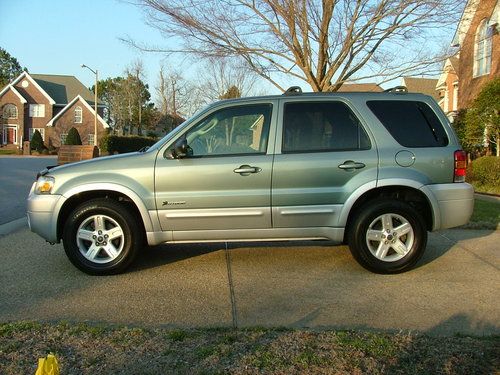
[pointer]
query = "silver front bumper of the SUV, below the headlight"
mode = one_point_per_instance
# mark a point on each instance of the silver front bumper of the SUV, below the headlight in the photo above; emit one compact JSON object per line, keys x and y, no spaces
{"x":42,"y":214}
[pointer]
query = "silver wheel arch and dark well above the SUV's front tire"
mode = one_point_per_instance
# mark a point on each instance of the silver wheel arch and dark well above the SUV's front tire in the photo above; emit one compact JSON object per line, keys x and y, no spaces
{"x":84,"y":193}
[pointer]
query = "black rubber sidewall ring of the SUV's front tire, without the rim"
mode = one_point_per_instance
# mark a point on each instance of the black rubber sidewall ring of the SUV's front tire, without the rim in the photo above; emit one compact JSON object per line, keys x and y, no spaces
{"x":117,"y":213}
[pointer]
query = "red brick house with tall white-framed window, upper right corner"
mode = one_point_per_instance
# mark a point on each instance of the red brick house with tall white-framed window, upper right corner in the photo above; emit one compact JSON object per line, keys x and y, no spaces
{"x":478,"y":37}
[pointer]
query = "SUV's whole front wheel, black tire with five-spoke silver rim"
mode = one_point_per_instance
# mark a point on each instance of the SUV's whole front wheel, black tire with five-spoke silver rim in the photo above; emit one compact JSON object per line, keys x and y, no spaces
{"x":101,"y":237}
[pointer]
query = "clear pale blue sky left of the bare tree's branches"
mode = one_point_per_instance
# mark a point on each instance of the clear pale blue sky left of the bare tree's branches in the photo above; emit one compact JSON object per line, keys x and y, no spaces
{"x":57,"y":36}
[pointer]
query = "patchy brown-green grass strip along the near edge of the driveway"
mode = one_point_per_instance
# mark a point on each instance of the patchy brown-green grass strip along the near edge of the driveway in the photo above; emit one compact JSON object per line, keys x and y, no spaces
{"x":94,"y":349}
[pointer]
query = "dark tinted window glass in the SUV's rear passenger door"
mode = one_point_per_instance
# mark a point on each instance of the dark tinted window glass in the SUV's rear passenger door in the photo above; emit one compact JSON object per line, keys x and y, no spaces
{"x":322,"y":126}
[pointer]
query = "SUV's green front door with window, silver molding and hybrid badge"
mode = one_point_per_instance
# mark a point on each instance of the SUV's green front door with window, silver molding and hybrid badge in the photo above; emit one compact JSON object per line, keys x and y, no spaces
{"x":224,"y":180}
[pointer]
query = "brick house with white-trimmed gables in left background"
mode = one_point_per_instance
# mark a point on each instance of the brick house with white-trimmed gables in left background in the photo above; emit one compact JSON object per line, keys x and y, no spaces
{"x":51,"y":104}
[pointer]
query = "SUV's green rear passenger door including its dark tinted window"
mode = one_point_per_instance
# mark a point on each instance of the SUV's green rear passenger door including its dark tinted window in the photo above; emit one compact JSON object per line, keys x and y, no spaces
{"x":324,"y":153}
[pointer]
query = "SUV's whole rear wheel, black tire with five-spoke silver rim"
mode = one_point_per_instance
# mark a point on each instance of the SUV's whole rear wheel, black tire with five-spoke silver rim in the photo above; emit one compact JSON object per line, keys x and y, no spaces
{"x":387,"y":236}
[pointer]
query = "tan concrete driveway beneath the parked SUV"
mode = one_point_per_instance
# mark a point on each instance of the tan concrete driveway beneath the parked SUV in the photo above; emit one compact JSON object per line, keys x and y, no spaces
{"x":310,"y":284}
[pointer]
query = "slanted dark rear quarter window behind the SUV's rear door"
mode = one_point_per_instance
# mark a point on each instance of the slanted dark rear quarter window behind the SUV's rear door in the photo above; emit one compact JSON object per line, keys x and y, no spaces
{"x":411,"y":123}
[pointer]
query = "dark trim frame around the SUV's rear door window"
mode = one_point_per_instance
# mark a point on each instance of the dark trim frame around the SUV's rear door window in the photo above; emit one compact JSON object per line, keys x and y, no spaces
{"x":329,"y":150}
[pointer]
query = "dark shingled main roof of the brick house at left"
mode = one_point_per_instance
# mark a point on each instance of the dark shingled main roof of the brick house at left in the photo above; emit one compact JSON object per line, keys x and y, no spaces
{"x":63,"y":88}
